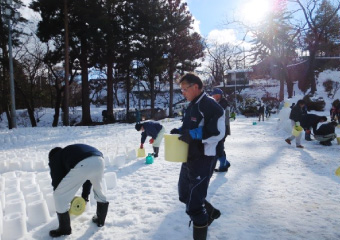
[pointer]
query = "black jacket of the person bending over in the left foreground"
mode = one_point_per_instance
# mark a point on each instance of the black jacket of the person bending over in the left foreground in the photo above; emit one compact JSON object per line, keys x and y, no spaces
{"x":67,"y":158}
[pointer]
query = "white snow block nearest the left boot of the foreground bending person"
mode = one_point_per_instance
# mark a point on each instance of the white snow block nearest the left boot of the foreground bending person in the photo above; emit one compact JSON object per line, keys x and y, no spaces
{"x":37,"y":213}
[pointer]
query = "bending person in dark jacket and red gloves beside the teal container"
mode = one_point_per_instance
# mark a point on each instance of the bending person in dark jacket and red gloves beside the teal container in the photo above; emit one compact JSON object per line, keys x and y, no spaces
{"x":153,"y":130}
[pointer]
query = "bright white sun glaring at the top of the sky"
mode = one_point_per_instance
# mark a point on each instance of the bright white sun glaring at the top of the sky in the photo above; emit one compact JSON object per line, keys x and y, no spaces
{"x":255,"y":10}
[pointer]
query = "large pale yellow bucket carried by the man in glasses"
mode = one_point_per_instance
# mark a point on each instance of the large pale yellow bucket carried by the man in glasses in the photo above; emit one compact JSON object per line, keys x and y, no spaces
{"x":175,"y":149}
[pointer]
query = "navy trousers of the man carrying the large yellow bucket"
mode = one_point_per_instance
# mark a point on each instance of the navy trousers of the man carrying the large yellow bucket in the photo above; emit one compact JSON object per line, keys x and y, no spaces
{"x":193,"y":185}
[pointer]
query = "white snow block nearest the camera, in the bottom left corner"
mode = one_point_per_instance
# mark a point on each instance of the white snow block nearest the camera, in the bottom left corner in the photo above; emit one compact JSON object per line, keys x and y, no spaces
{"x":14,"y":226}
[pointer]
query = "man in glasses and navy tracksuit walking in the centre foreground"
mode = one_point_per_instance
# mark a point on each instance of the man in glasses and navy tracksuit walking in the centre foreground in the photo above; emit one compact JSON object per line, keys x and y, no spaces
{"x":203,"y":127}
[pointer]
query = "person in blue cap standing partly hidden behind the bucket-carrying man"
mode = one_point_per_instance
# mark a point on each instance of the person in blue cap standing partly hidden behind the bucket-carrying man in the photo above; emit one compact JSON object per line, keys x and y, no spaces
{"x":217,"y":94}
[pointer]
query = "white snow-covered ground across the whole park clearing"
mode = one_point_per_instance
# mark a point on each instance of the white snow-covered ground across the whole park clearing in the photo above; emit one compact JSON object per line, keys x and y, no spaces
{"x":272,"y":190}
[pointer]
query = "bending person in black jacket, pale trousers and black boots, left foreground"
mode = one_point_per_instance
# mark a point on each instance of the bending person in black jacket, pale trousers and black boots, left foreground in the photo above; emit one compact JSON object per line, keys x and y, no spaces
{"x":70,"y":168}
